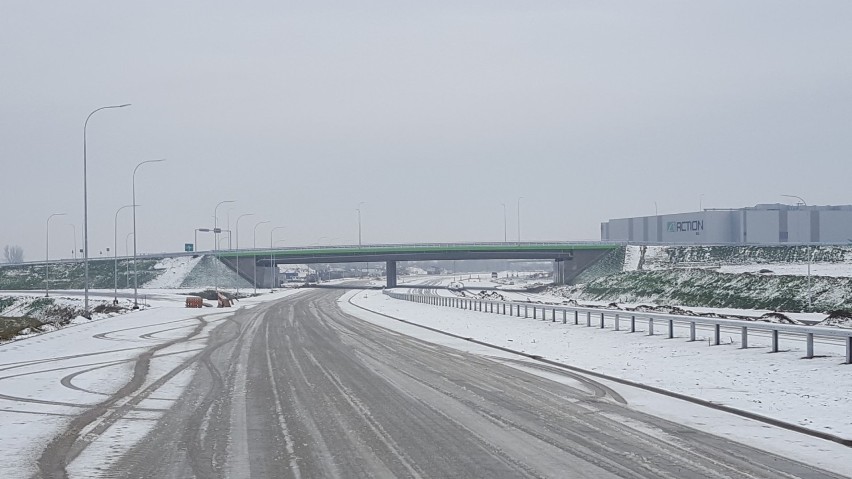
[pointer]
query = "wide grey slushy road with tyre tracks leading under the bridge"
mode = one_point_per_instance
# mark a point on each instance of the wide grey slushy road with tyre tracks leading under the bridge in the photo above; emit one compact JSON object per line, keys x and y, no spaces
{"x":298,"y":388}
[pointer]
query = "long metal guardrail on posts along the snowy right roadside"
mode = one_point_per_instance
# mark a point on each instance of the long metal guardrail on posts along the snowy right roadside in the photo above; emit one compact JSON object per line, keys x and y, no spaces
{"x":668,"y":321}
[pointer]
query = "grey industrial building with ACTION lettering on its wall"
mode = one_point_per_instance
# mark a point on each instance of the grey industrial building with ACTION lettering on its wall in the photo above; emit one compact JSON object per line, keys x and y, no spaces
{"x":761,"y":224}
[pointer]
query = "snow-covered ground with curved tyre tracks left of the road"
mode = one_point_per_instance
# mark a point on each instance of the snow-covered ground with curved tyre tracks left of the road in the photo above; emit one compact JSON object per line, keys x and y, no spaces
{"x":47,"y":379}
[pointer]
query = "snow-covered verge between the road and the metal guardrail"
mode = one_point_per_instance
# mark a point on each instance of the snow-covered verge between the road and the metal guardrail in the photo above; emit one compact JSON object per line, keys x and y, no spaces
{"x":812,"y":393}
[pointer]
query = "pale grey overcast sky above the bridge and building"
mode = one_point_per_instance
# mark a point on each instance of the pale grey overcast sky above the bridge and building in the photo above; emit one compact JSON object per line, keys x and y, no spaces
{"x":432,"y":113}
